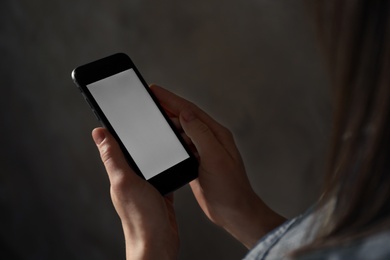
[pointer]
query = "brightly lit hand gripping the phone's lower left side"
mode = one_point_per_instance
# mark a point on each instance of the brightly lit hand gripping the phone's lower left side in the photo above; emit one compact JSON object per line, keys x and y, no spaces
{"x":148,"y":219}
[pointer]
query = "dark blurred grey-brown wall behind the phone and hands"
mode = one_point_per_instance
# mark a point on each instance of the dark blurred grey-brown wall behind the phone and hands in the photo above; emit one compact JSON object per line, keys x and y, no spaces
{"x":254,"y":65}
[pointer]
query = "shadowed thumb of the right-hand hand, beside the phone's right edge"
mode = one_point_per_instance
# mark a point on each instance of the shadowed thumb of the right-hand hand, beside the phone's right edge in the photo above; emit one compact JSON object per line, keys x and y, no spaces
{"x":200,"y":134}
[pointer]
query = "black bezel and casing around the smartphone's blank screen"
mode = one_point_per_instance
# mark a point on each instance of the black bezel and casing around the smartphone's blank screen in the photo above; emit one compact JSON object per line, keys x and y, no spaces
{"x":170,"y":179}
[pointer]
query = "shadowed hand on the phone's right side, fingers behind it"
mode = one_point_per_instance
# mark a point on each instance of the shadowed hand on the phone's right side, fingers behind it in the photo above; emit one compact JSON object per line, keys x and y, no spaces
{"x":222,"y":189}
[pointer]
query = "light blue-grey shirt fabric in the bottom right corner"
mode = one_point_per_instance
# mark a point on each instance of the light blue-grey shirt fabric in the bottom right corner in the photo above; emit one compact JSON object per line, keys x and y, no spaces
{"x":299,"y":231}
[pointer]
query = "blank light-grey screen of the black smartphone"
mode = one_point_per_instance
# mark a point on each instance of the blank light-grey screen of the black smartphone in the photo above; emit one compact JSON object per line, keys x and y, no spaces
{"x":138,"y":122}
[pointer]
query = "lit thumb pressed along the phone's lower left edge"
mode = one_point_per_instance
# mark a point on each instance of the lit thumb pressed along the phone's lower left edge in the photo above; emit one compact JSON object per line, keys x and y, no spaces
{"x":118,"y":170}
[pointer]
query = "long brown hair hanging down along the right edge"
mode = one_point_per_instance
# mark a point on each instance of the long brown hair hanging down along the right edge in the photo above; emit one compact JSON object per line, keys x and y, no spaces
{"x":355,"y":35}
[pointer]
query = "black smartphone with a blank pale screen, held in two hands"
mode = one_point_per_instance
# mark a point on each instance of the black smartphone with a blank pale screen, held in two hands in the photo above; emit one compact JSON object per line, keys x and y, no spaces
{"x":124,"y":104}
